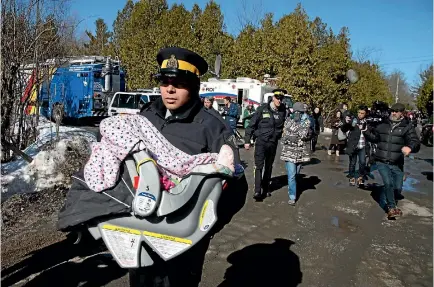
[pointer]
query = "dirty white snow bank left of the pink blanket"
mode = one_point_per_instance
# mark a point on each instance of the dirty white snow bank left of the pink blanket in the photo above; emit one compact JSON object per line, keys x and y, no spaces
{"x":52,"y":166}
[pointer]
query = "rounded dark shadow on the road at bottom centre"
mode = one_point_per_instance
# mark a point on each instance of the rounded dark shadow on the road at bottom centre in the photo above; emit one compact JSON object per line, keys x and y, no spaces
{"x":264,"y":264}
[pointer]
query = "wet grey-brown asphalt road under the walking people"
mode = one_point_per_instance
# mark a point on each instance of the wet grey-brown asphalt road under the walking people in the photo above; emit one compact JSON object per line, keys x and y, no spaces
{"x":336,"y":235}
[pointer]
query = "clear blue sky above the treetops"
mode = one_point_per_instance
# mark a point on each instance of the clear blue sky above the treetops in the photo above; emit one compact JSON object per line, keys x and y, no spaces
{"x":398,"y":33}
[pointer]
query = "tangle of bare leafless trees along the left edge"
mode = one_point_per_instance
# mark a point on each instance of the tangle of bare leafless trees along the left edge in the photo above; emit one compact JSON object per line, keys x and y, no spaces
{"x":31,"y":33}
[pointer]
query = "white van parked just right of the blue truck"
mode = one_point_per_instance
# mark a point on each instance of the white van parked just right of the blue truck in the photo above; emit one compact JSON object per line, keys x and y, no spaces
{"x":130,"y":102}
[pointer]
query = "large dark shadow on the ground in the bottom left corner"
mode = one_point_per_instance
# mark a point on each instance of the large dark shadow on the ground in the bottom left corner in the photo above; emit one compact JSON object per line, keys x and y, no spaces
{"x":59,"y":264}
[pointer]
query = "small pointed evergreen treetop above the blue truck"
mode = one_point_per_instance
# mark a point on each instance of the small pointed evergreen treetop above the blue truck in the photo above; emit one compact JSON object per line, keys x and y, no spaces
{"x":99,"y":44}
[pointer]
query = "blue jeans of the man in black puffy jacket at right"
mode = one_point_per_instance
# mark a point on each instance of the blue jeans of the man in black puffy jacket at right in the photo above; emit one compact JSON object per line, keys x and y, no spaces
{"x":393,"y":177}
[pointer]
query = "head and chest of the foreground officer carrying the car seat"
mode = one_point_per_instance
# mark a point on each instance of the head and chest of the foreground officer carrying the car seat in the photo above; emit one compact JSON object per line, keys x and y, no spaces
{"x":179,"y":114}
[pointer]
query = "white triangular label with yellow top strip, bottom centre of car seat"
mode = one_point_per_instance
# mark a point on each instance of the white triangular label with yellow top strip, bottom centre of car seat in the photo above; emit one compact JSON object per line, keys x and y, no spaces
{"x":166,"y":245}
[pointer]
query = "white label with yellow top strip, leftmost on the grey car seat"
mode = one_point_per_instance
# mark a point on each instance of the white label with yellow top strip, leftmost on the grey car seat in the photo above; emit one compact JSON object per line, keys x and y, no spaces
{"x":123,"y":243}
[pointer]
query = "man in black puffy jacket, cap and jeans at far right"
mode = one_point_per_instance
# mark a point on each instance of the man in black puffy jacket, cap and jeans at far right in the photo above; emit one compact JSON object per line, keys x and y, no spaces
{"x":396,"y":138}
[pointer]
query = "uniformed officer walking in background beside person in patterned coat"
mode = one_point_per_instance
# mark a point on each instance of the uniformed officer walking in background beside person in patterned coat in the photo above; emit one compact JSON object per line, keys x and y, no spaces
{"x":266,"y":126}
